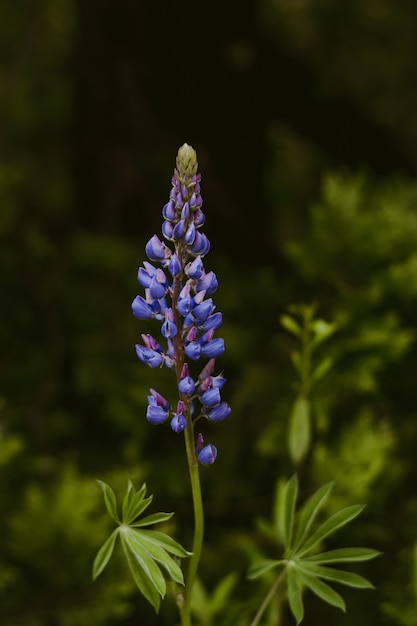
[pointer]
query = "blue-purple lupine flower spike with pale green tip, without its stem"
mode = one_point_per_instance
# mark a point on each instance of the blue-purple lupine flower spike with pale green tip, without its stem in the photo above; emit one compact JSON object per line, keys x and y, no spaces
{"x":178,"y":294}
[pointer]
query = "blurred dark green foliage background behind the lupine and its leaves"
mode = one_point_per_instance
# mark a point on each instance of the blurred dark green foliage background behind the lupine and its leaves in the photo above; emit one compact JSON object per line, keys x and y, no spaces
{"x":302,"y":113}
